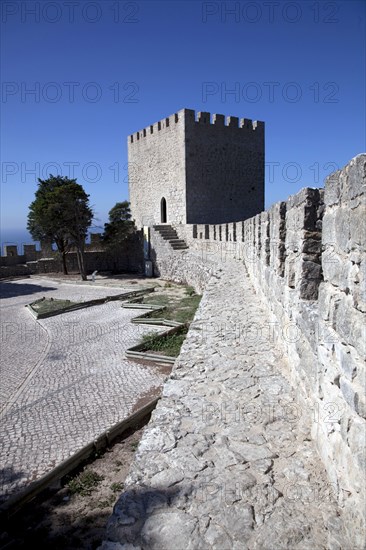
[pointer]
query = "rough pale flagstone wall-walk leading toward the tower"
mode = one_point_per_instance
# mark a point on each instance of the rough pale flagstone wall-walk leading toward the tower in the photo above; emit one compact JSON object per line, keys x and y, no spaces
{"x":226,"y":461}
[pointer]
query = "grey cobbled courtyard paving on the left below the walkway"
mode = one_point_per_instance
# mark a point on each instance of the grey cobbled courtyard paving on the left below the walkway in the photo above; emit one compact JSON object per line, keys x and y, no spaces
{"x":65,"y":379}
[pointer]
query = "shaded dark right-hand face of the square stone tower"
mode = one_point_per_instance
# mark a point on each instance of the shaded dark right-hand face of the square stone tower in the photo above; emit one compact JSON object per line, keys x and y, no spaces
{"x":225,"y":168}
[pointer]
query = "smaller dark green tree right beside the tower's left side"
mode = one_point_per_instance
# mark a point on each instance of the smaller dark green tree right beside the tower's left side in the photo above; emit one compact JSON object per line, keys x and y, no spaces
{"x":120,"y":225}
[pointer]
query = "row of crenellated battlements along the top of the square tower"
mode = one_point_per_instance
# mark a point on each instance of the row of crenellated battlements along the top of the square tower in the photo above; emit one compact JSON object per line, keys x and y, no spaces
{"x":198,"y":117}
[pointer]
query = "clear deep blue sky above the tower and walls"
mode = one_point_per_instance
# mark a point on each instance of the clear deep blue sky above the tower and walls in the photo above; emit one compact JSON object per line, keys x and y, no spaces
{"x":102,"y":70}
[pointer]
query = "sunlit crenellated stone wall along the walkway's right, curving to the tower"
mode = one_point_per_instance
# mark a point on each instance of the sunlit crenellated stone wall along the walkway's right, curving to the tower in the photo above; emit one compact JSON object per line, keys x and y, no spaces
{"x":306,"y":258}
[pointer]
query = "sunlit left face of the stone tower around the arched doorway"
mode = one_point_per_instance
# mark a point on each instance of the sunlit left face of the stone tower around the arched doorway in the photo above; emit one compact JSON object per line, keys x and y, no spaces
{"x":156,"y":169}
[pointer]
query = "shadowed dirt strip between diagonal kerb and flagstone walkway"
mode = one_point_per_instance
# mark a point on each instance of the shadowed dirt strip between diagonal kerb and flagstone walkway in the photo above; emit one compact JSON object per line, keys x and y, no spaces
{"x":60,"y":520}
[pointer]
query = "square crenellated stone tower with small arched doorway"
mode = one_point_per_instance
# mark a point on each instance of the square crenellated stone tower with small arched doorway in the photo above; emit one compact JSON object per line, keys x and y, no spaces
{"x":190,"y":169}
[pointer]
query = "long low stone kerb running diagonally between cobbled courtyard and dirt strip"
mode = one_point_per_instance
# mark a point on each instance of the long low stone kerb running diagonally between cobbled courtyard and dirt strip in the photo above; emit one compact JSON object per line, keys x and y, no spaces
{"x":15,"y":502}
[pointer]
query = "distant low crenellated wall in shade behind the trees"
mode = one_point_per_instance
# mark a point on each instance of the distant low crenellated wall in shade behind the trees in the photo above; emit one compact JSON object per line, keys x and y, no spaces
{"x":47,"y":260}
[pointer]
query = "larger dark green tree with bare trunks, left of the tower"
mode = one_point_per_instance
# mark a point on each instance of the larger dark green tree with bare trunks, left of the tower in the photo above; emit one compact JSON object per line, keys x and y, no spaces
{"x":61,"y":214}
